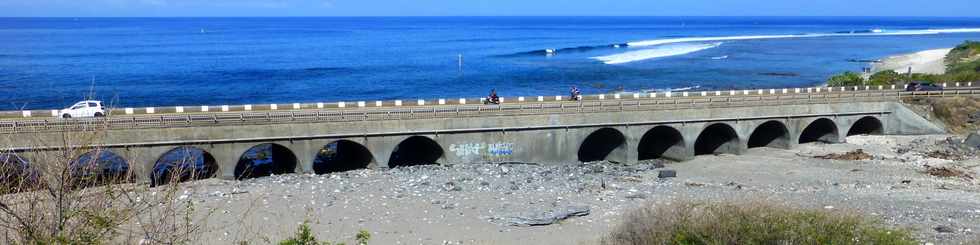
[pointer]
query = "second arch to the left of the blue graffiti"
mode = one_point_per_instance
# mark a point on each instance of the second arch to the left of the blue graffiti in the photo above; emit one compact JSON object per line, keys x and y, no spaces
{"x":341,"y":156}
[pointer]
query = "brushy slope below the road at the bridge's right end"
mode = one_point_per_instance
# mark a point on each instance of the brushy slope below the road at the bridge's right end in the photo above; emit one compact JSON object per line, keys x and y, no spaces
{"x":959,"y":115}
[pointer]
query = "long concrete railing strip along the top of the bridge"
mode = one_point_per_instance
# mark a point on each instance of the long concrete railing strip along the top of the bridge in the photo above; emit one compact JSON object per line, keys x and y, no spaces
{"x":231,"y":116}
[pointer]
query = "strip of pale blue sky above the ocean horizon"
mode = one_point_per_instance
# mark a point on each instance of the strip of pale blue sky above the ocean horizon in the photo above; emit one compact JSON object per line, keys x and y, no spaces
{"x":221,"y":8}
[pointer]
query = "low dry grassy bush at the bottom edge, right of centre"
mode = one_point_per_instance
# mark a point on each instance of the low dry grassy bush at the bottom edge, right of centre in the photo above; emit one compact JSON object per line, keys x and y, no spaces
{"x":749,"y":223}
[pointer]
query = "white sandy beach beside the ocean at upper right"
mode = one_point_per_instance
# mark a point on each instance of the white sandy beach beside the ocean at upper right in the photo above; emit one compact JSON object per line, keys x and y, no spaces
{"x":928,"y":61}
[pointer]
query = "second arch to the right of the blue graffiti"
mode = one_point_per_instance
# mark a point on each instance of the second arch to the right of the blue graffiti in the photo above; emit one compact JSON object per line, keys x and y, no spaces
{"x":661,"y":142}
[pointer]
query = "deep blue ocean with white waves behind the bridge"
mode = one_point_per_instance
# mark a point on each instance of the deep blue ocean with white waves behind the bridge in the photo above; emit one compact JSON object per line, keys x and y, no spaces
{"x":52,"y":62}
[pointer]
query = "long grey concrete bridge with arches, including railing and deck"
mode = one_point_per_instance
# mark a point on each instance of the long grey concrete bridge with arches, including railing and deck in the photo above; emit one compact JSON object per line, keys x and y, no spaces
{"x":620,"y":128}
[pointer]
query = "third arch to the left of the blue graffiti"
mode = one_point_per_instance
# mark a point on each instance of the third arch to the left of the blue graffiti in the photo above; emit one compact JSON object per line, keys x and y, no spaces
{"x":264,"y":160}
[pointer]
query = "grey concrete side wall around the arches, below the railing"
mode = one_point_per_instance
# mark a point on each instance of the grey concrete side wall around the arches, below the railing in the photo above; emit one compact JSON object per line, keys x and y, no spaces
{"x":546,"y":139}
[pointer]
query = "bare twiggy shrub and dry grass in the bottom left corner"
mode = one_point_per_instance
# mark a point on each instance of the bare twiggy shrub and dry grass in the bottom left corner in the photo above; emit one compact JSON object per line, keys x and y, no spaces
{"x":63,"y":197}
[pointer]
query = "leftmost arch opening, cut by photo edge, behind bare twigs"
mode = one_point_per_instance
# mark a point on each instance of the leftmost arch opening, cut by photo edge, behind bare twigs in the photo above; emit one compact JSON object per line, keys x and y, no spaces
{"x":16,"y":174}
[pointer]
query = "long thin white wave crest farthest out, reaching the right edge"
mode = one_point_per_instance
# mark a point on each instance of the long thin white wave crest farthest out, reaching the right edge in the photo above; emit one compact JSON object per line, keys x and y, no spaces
{"x":876,"y":32}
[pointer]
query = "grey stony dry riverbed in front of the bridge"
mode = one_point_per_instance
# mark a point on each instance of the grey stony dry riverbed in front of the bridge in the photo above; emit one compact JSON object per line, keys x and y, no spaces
{"x":478,"y":203}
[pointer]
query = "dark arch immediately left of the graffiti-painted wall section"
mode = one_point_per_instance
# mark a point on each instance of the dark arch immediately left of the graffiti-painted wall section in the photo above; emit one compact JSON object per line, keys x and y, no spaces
{"x":414,"y":151}
